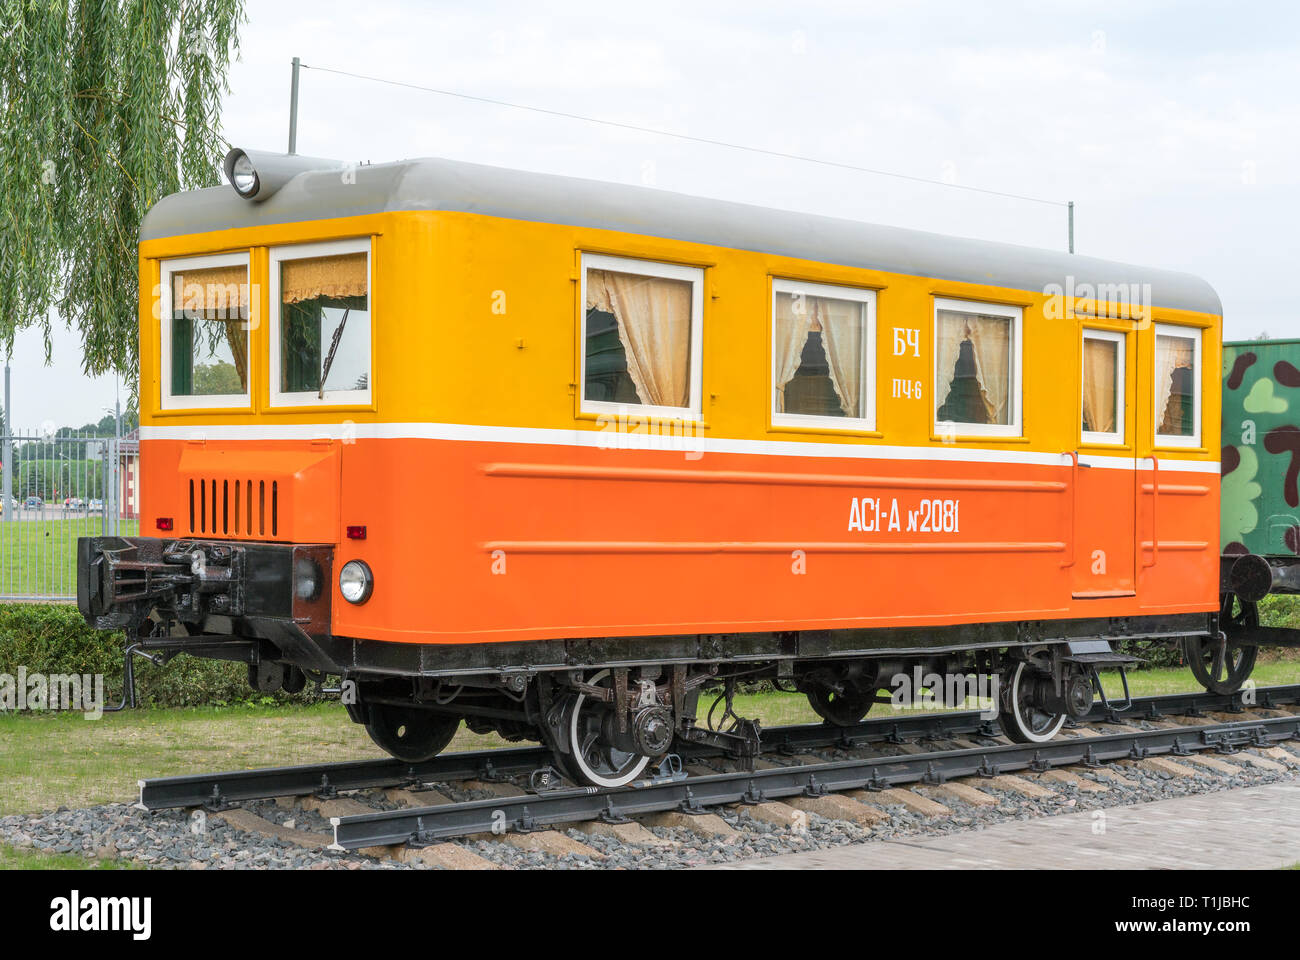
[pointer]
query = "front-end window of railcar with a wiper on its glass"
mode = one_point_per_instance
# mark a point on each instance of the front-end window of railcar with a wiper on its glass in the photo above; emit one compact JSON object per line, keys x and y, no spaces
{"x":320,"y":325}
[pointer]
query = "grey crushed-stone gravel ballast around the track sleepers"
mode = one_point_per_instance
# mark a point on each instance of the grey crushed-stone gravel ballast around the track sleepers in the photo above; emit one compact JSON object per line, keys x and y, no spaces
{"x":180,"y":840}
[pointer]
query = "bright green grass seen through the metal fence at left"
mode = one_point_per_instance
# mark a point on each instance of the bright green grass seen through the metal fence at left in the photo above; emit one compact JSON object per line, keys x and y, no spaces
{"x":38,"y":559}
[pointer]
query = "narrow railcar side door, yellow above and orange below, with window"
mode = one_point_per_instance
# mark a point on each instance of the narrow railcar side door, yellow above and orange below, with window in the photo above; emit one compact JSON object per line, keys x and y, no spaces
{"x":1104,"y":475}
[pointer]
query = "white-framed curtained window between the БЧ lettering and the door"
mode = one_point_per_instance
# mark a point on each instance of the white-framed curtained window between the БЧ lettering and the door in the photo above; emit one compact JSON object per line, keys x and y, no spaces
{"x":978,"y":380}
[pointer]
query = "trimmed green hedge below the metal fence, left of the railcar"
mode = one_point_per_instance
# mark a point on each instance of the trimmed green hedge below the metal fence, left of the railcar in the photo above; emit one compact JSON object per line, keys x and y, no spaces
{"x":54,"y":639}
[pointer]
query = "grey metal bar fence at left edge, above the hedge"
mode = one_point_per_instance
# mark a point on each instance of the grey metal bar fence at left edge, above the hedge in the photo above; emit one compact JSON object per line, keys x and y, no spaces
{"x":54,"y":490}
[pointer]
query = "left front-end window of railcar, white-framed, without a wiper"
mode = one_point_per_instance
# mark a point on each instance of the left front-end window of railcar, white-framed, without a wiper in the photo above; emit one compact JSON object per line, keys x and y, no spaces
{"x":205,"y":332}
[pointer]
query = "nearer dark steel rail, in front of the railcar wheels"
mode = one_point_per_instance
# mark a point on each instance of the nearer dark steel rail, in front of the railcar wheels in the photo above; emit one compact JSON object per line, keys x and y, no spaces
{"x":525,"y":814}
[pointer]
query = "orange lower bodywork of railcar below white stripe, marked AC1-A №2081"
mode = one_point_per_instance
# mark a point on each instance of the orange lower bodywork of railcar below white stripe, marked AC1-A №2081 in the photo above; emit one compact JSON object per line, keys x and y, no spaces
{"x":480,"y":542}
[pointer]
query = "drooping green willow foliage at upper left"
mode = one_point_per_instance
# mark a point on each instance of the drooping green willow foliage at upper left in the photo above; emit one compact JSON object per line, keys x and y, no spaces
{"x":105,"y":109}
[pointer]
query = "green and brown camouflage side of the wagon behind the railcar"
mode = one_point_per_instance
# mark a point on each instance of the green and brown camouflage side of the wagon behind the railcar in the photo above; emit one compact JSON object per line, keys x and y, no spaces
{"x":1260,"y":505}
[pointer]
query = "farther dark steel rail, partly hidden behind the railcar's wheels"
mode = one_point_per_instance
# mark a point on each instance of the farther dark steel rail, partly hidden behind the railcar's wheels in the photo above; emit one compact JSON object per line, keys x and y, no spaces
{"x":216,"y":790}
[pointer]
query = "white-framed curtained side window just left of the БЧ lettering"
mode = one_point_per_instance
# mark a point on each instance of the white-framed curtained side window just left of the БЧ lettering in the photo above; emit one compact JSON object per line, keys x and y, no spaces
{"x":824,"y":356}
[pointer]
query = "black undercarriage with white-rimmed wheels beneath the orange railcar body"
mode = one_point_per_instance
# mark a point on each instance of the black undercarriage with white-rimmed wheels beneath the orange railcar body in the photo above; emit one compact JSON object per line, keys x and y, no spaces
{"x":608,"y":727}
